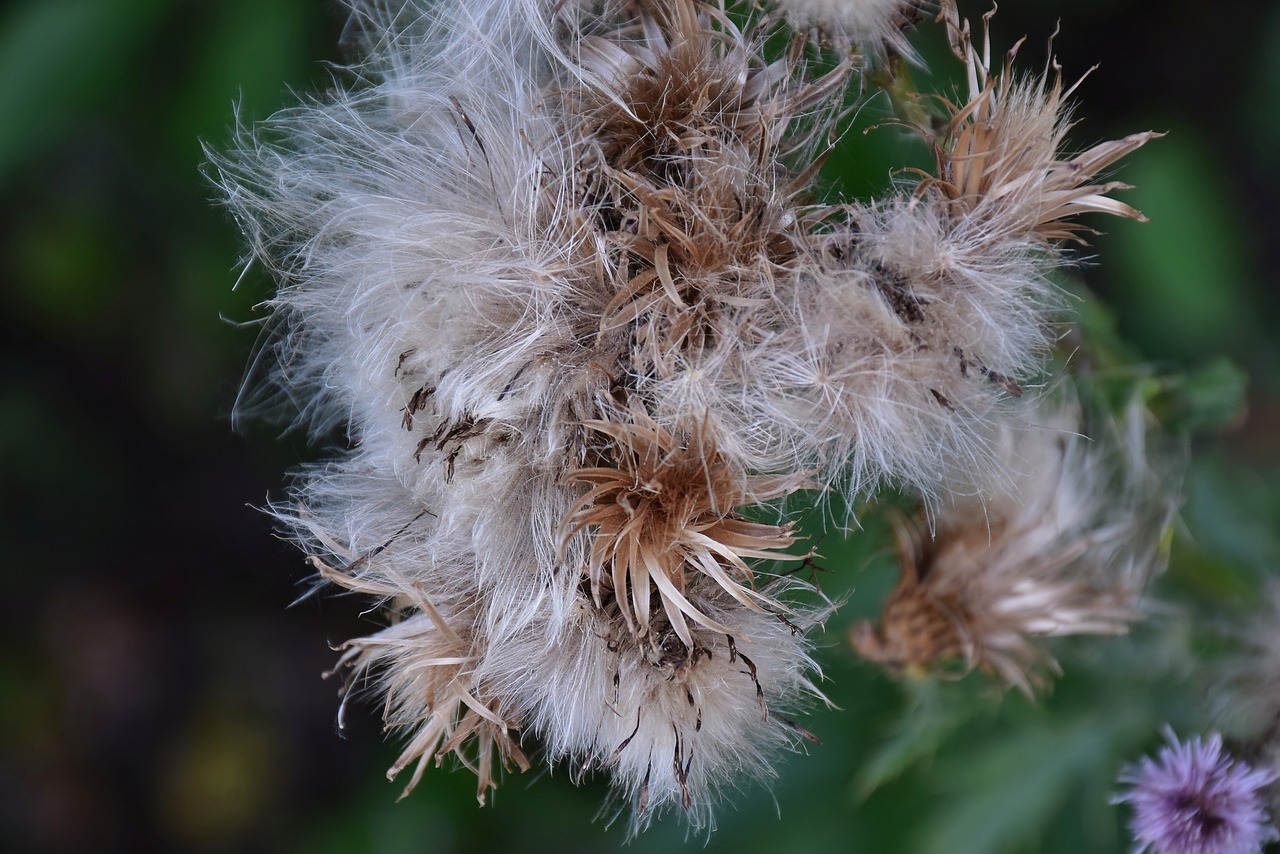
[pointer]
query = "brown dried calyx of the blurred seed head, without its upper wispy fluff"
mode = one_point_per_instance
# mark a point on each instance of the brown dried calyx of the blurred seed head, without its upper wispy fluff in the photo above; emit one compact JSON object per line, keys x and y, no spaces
{"x":988,"y":590}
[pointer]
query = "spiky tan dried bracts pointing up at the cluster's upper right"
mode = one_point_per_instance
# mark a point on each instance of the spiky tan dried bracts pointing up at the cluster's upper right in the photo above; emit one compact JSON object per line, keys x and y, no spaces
{"x":1000,"y":162}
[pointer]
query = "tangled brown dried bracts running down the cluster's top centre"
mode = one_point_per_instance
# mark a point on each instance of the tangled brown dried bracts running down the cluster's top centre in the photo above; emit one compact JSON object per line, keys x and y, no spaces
{"x":697,"y":152}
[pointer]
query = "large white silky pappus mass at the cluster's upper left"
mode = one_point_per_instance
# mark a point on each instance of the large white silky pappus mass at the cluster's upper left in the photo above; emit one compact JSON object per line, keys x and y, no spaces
{"x":419,"y":252}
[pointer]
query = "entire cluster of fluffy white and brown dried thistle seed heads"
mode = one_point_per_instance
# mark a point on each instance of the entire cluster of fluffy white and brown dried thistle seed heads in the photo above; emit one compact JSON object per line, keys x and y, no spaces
{"x":557,"y":271}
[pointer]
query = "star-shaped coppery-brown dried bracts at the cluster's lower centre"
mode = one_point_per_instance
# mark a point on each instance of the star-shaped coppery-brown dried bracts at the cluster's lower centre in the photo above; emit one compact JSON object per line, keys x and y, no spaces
{"x":664,"y":512}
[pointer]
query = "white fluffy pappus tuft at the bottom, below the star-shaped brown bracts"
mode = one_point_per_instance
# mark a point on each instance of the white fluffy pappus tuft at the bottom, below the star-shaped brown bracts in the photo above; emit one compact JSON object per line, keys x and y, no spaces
{"x":673,"y":727}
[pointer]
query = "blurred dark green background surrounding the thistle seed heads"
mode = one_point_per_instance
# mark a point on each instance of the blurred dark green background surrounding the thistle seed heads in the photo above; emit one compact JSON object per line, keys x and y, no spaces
{"x":159,"y":695}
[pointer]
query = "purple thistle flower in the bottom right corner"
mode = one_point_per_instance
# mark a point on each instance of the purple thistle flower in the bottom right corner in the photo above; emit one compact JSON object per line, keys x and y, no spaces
{"x":1195,"y":798}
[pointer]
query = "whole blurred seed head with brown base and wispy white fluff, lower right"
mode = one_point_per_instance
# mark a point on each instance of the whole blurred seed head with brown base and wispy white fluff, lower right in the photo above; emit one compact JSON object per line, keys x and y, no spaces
{"x":1067,"y":550}
